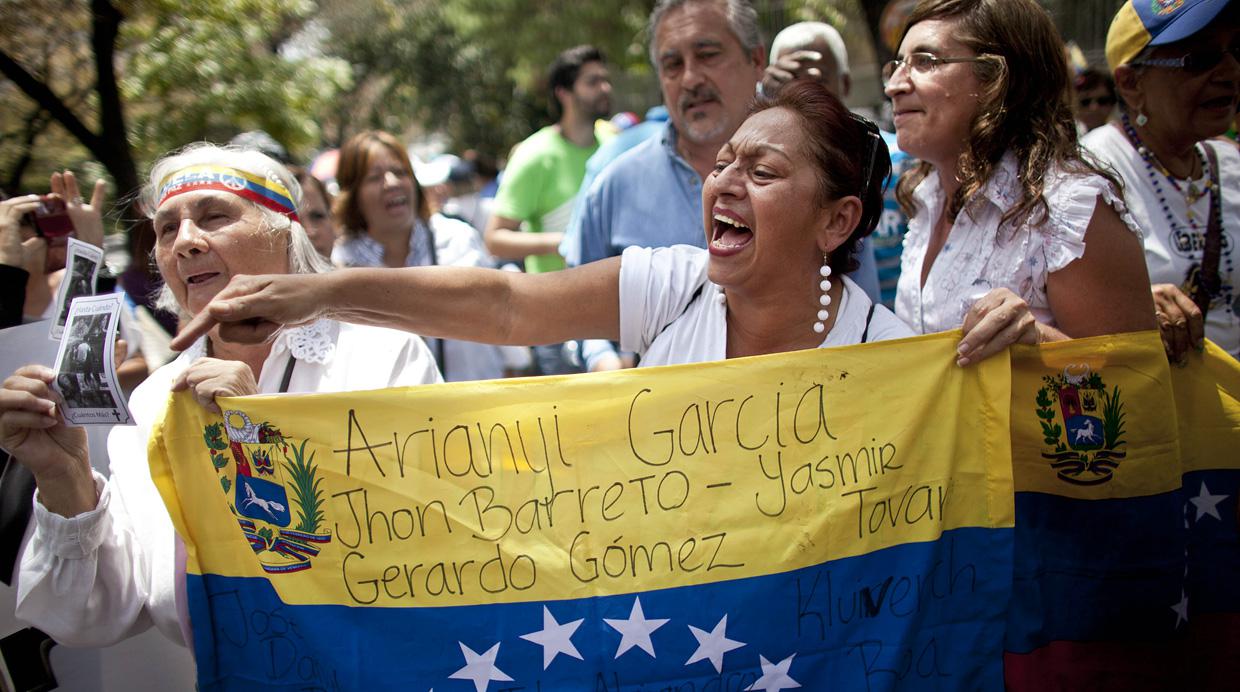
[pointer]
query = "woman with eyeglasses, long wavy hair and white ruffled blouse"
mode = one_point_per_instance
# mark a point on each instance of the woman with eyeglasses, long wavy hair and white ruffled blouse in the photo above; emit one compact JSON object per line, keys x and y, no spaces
{"x":1012,"y":236}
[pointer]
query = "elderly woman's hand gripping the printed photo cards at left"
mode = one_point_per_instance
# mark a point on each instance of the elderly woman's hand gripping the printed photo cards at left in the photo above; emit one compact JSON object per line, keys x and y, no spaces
{"x":33,"y":430}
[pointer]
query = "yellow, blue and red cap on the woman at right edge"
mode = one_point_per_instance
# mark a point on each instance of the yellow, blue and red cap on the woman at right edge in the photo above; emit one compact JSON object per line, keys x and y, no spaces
{"x":1156,"y":23}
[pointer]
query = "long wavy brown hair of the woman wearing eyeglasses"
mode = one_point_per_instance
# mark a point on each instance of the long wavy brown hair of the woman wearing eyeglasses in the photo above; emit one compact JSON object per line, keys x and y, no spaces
{"x":1026,"y":104}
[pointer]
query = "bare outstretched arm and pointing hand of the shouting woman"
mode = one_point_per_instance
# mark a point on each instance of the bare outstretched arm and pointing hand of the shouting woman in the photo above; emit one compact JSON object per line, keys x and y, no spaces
{"x":462,"y":303}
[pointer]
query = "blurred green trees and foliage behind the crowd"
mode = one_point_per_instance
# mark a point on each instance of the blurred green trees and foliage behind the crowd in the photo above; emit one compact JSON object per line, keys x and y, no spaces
{"x":102,"y":87}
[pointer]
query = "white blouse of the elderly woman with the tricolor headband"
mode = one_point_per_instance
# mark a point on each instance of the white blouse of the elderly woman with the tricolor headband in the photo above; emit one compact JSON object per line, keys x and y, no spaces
{"x":110,"y":574}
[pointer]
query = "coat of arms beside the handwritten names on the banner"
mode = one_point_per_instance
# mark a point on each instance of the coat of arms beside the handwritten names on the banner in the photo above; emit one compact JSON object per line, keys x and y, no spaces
{"x":263,"y":473}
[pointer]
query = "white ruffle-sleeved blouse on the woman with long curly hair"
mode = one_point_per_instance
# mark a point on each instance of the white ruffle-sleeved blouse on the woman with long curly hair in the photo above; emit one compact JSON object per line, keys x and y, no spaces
{"x":983,"y":255}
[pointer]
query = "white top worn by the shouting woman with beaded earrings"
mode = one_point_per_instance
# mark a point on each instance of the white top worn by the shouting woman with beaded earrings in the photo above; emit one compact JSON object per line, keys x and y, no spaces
{"x":670,"y":312}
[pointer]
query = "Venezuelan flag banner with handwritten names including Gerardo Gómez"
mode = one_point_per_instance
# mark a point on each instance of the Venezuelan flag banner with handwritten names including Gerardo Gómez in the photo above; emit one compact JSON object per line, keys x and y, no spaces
{"x":833,"y":519}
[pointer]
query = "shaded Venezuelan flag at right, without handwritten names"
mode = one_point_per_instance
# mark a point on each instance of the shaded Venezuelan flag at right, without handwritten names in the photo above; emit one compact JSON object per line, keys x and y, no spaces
{"x":1128,"y":559}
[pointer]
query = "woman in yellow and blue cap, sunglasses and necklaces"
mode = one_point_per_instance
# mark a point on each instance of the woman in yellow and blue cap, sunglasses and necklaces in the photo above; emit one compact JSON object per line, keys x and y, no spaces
{"x":1179,"y":76}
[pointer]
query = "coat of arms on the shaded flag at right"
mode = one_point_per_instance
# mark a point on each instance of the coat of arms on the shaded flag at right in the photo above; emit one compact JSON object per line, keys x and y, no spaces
{"x":1082,"y":425}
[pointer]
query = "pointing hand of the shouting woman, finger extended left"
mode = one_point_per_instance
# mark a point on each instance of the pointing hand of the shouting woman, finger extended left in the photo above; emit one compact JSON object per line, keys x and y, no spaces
{"x":252,"y":309}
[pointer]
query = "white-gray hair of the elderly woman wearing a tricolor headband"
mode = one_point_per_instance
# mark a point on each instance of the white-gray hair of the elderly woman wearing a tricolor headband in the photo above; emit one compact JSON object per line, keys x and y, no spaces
{"x":303,"y":259}
